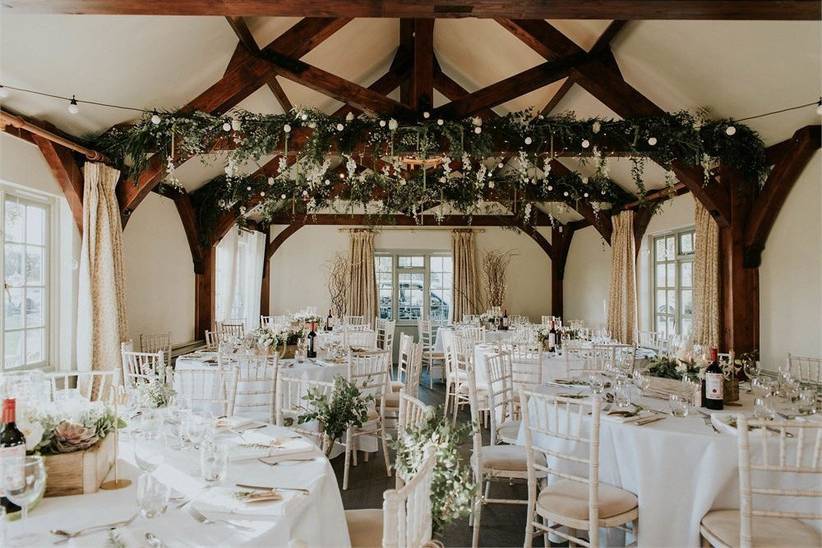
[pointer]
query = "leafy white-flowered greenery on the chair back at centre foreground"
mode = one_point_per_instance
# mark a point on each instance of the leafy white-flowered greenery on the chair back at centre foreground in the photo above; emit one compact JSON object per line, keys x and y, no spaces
{"x":452,"y":487}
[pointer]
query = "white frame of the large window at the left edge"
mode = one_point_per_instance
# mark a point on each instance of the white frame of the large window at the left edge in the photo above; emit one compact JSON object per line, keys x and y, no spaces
{"x":51,"y":273}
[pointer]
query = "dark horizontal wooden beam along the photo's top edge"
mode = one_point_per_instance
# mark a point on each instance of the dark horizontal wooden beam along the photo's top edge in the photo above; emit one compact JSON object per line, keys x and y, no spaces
{"x":532,"y":9}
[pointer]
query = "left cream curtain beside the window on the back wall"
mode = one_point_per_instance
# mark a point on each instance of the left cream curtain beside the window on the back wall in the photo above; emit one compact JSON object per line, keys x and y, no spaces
{"x":362,"y":289}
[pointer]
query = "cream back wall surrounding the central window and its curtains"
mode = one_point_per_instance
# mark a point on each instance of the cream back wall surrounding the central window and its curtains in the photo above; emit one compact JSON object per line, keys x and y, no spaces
{"x":299,"y":269}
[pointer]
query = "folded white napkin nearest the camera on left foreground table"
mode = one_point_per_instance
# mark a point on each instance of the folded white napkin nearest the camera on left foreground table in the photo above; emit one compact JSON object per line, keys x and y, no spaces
{"x":246,"y":504}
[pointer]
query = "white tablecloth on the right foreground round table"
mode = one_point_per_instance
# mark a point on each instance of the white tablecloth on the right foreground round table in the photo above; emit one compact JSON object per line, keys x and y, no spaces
{"x":679,"y":468}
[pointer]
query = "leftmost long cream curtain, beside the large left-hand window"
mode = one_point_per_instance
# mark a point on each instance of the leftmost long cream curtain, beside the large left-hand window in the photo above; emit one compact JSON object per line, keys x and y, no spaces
{"x":101,"y":298}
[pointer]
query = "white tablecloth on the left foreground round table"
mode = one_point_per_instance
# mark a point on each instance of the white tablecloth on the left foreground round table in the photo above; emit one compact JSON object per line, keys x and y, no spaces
{"x":319,"y":520}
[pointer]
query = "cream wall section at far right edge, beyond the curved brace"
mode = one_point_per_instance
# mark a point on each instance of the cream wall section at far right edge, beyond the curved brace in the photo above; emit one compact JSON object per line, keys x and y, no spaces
{"x":790,"y":277}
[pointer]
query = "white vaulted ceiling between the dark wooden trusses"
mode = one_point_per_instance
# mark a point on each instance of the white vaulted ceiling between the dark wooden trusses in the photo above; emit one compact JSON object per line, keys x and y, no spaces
{"x":735,"y":68}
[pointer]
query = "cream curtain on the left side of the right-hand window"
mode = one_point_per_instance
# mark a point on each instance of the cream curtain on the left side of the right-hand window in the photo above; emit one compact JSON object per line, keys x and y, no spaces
{"x":622,"y":309}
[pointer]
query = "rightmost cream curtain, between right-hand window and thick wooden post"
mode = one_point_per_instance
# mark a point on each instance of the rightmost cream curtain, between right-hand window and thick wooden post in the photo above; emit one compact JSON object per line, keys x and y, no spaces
{"x":706,"y":278}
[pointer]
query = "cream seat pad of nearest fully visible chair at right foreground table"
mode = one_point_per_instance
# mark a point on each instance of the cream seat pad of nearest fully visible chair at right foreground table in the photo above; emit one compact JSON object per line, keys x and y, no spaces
{"x":570,"y":499}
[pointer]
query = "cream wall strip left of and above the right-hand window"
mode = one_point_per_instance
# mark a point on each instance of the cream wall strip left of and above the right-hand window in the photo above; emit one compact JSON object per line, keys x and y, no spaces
{"x":674,"y":214}
